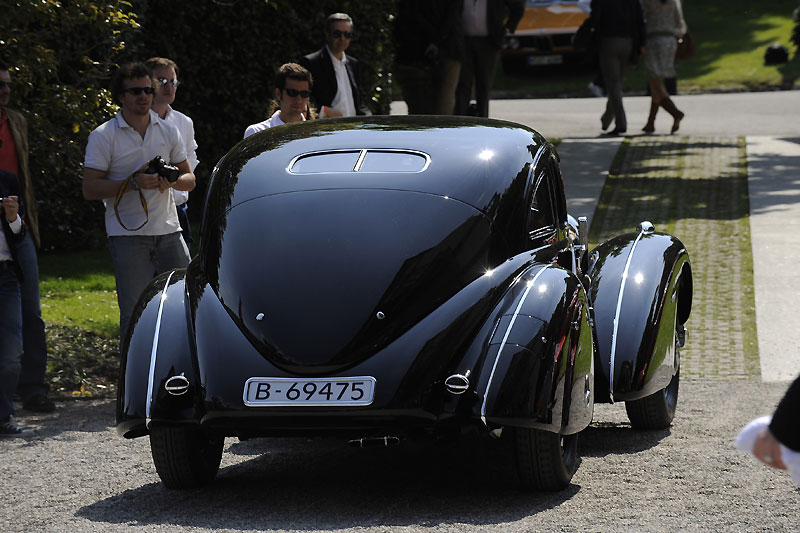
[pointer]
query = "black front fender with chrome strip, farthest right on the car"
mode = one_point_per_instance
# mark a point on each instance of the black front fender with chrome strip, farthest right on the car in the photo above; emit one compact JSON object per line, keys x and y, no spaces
{"x":641,"y":290}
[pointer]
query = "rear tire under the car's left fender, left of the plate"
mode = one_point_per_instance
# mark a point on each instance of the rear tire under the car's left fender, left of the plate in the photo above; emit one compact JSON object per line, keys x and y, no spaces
{"x":185,"y":457}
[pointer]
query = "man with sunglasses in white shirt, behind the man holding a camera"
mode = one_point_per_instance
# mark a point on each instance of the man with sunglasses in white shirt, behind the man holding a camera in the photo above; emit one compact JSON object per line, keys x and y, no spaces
{"x":165,"y":72}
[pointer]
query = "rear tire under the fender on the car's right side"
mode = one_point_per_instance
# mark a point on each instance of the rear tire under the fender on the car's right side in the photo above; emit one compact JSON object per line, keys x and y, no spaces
{"x":545,"y":461}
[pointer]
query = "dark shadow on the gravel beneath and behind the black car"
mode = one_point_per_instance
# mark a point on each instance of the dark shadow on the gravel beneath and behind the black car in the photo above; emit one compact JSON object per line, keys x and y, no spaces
{"x":309,"y":485}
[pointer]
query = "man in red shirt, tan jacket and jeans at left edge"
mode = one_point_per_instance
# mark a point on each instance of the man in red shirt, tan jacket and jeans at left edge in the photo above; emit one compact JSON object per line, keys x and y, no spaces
{"x":32,"y":386}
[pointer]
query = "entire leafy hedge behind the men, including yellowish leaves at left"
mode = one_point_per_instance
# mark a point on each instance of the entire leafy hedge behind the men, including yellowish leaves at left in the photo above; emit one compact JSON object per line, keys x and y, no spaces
{"x":64,"y":54}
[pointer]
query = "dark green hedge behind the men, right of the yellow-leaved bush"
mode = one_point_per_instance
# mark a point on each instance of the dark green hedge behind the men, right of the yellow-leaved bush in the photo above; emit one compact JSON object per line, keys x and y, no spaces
{"x":228,"y":53}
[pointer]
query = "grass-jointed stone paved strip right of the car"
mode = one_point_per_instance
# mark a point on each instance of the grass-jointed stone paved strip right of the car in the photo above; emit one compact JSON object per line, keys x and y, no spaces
{"x":696,"y":189}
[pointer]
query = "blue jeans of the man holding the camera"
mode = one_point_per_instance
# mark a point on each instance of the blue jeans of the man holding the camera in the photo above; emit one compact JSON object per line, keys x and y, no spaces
{"x":137,"y":260}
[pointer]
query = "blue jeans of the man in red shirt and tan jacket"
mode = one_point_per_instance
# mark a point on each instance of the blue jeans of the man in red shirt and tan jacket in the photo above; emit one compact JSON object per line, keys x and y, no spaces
{"x":34,"y":344}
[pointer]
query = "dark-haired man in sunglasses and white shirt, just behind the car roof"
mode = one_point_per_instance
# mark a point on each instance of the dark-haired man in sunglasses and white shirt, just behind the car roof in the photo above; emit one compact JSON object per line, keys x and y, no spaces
{"x":292,"y":90}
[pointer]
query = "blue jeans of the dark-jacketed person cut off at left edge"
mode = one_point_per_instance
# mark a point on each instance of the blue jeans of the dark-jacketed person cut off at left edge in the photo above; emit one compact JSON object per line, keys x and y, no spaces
{"x":10,"y":340}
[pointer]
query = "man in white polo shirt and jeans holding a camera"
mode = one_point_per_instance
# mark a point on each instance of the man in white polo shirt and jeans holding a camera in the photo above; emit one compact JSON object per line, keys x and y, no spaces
{"x":147,"y":241}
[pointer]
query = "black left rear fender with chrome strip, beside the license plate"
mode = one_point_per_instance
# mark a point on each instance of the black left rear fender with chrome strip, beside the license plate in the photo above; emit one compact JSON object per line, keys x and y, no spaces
{"x":158,"y":376}
